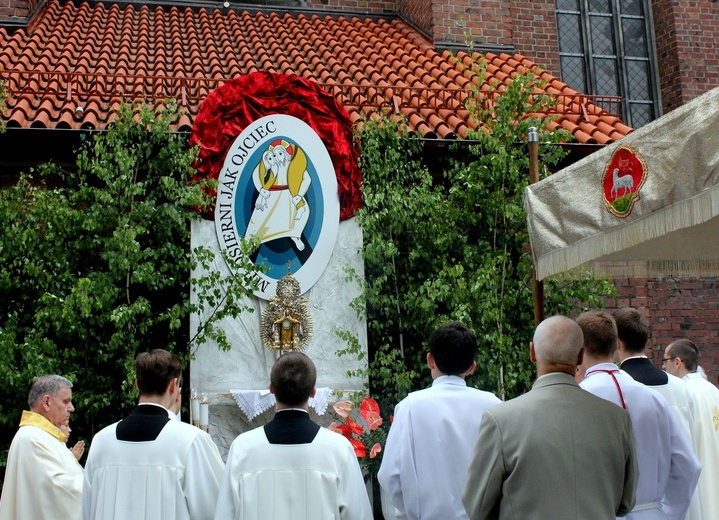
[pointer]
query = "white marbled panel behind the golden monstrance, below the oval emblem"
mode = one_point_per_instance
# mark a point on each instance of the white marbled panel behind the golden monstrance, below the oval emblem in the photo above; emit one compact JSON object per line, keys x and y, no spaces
{"x":247,"y":365}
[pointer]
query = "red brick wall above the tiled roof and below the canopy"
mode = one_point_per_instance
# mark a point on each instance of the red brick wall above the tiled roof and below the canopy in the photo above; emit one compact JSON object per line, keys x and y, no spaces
{"x":686,"y":36}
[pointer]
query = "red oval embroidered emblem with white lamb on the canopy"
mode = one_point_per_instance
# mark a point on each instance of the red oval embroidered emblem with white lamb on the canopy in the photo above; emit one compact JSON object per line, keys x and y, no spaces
{"x":623,"y":177}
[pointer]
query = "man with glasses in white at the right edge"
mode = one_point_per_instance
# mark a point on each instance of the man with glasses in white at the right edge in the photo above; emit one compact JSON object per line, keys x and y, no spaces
{"x":681,"y":358}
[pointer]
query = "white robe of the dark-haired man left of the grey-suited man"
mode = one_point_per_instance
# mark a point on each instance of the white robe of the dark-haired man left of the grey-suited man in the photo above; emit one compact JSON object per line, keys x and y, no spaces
{"x":429,"y":448}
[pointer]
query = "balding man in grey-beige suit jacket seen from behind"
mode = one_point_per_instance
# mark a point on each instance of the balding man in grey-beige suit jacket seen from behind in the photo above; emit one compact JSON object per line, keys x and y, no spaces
{"x":557,"y":451}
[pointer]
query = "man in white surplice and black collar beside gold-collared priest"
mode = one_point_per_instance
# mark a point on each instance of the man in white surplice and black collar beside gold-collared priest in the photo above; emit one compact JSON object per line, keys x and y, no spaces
{"x":147,"y":465}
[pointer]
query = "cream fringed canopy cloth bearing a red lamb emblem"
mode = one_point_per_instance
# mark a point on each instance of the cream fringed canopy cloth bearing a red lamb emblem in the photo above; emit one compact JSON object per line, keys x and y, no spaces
{"x":647,"y":205}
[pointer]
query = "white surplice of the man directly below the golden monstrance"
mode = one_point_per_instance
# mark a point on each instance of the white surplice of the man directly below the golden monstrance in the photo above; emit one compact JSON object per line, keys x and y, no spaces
{"x":318,"y":480}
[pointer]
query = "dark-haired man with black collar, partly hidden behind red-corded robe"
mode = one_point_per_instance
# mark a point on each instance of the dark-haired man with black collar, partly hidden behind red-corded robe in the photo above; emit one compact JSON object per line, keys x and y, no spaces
{"x":633,"y":331}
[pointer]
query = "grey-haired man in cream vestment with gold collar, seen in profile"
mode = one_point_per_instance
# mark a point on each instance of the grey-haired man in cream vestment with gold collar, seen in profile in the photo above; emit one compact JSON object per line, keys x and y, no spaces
{"x":43,"y":480}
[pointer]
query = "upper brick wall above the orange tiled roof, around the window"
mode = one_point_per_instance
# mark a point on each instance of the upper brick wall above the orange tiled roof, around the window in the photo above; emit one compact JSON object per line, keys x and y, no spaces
{"x":685,"y":34}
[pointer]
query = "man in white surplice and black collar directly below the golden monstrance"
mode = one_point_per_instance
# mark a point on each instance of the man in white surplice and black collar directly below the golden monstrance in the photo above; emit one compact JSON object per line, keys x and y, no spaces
{"x":292,"y":468}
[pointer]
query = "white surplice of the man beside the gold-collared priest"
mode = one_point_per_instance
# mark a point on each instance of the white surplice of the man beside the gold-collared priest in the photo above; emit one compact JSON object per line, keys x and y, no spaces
{"x":175,"y":477}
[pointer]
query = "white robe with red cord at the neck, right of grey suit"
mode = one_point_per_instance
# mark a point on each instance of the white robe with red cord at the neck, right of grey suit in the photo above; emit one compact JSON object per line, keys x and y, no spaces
{"x":668,"y":469}
